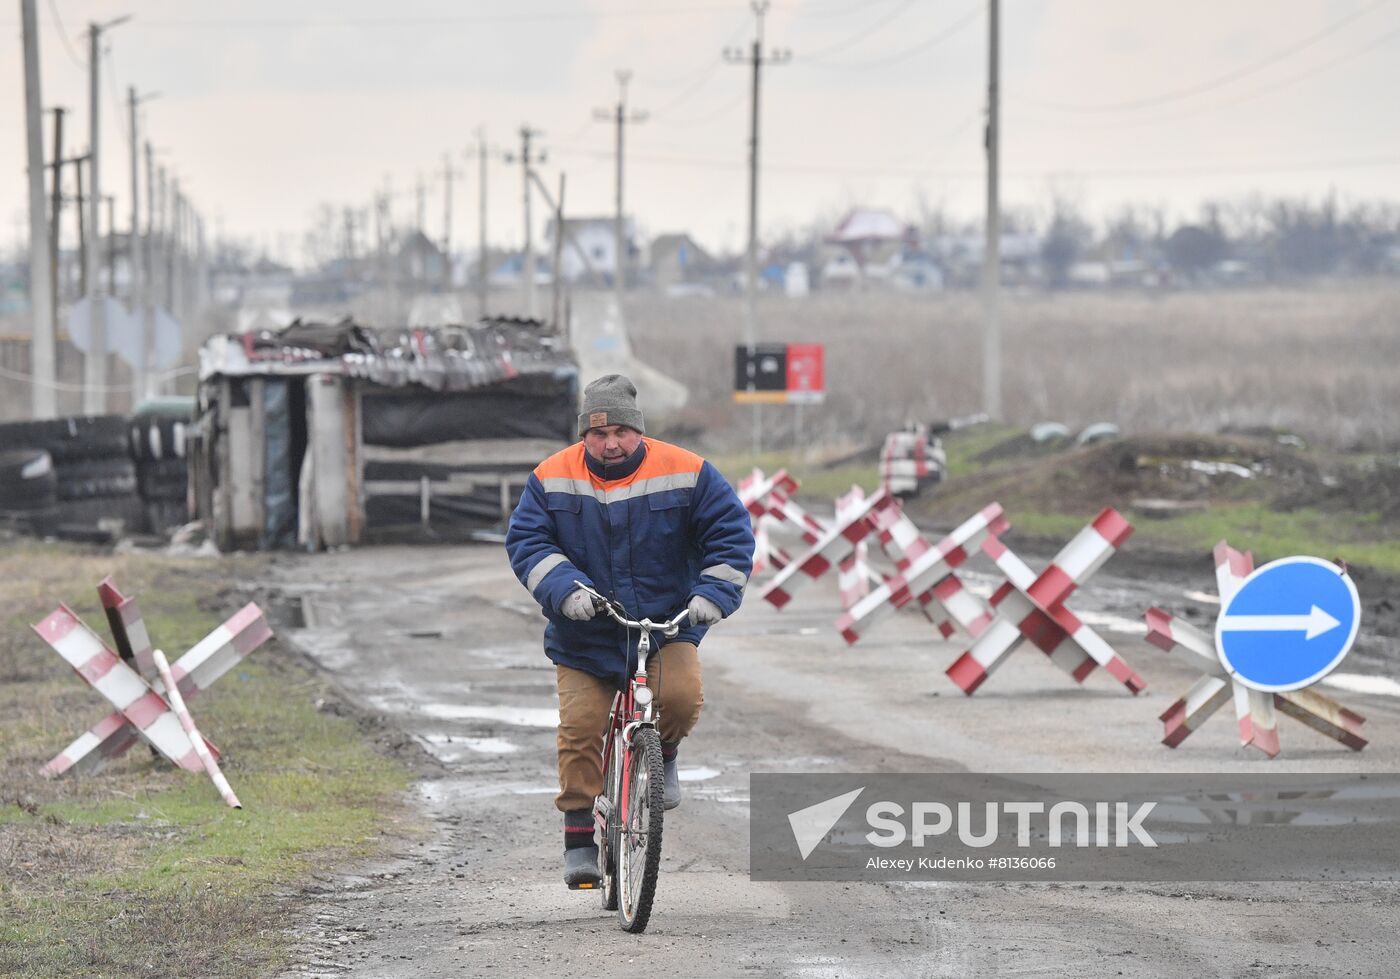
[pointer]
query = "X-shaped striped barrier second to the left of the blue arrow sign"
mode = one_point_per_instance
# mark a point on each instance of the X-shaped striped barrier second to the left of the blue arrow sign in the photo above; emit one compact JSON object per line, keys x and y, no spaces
{"x":929,"y":576}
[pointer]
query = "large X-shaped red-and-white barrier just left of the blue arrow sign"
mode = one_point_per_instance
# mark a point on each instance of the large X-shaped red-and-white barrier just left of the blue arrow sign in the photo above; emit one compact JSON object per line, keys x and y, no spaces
{"x":1032,"y":607}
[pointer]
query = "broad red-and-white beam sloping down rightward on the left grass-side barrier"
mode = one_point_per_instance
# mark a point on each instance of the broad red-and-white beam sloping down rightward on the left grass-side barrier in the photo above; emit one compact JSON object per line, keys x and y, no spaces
{"x":122,"y":687}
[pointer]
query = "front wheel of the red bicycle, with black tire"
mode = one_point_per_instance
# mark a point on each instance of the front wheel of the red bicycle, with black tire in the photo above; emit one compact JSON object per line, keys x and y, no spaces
{"x":639,"y":865}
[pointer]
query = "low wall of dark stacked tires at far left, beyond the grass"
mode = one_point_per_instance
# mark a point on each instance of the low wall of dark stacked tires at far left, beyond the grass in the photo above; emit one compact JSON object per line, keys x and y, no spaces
{"x":94,"y":477}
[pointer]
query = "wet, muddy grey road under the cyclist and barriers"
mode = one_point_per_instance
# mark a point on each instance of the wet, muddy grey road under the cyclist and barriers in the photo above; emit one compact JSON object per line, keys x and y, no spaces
{"x":446,"y":645}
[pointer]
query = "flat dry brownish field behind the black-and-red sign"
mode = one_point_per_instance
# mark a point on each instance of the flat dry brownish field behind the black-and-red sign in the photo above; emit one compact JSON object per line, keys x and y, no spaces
{"x":1318,"y":362}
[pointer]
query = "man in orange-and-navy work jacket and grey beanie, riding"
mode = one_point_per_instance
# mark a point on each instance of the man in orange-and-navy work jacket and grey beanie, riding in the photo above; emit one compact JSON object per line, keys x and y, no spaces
{"x":657,"y":529}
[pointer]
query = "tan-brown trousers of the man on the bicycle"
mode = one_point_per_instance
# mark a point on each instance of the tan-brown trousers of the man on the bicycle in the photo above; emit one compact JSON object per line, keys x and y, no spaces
{"x":584,"y":702}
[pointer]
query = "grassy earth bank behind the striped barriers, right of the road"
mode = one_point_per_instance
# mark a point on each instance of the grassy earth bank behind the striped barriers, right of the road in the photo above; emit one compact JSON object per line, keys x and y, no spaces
{"x":1301,"y":504}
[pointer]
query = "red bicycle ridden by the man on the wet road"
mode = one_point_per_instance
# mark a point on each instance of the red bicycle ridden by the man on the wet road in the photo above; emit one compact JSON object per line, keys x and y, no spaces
{"x":628,"y":816}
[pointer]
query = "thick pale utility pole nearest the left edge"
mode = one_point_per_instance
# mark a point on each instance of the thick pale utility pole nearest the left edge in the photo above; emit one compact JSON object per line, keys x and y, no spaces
{"x":43,"y":393}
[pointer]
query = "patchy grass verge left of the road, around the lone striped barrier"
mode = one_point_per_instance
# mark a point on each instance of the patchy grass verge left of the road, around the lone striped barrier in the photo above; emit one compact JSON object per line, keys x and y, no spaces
{"x":141,"y":870}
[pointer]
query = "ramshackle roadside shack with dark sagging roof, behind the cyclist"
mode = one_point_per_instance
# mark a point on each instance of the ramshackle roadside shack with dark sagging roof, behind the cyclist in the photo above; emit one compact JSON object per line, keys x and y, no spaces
{"x":325,"y":435}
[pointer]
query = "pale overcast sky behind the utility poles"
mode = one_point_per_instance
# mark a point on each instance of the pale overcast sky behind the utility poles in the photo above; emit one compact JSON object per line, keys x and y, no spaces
{"x":271,"y":107}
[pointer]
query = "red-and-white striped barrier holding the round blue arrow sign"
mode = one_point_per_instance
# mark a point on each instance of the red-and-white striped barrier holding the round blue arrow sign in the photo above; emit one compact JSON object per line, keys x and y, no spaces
{"x":1255,"y":711}
